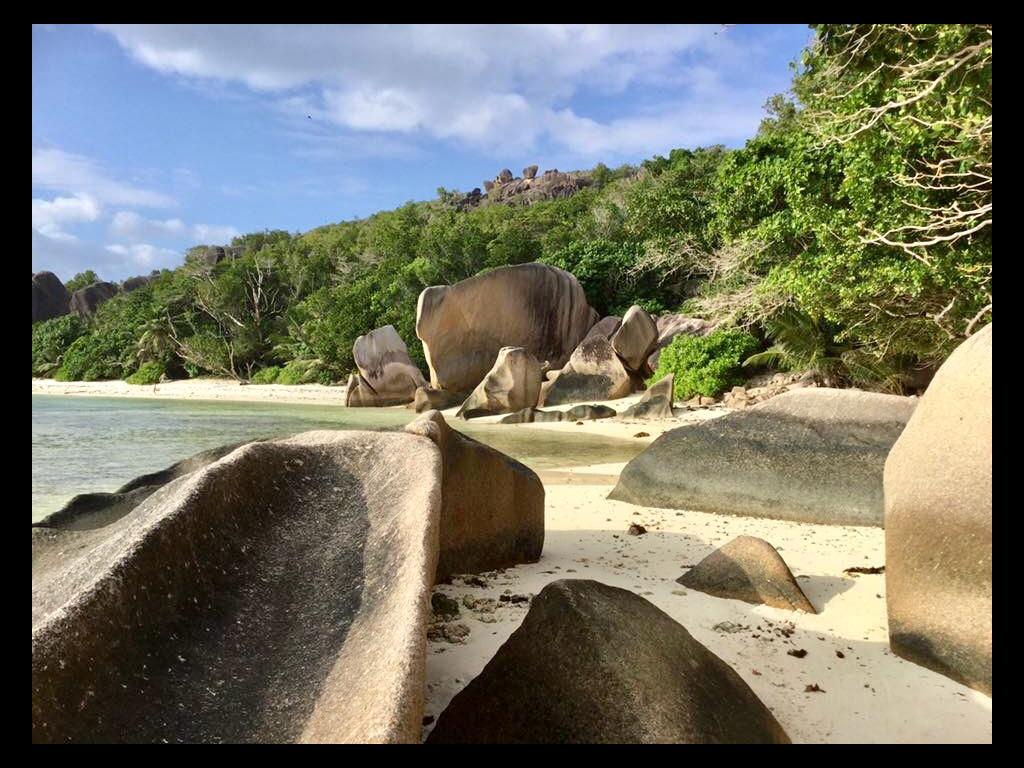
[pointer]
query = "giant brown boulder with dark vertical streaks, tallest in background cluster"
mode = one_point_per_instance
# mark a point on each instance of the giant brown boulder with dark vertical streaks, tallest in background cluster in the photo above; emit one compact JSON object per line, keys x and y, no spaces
{"x":463,"y":327}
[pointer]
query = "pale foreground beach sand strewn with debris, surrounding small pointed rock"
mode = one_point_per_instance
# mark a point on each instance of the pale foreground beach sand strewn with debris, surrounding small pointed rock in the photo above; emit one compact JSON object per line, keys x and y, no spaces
{"x":869,"y":696}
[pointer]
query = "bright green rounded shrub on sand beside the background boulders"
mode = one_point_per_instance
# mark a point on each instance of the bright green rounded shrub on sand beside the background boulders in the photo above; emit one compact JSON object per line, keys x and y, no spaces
{"x":706,"y":365}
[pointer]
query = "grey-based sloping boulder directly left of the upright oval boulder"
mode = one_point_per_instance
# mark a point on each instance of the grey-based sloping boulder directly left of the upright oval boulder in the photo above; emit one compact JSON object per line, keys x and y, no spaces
{"x":593,"y":373}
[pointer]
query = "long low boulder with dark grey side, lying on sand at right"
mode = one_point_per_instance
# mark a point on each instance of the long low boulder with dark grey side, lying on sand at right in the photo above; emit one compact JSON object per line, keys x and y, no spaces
{"x":813,"y":455}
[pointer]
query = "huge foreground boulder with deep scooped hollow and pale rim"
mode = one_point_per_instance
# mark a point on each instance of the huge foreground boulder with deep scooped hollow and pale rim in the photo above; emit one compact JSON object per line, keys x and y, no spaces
{"x":279,"y":594}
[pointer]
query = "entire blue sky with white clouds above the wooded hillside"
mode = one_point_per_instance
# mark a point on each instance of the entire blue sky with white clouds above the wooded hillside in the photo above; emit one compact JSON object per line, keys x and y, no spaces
{"x":149,"y":140}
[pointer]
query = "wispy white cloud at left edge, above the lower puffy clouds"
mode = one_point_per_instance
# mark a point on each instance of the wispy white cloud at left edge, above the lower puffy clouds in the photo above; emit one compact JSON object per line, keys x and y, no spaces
{"x":67,"y":173}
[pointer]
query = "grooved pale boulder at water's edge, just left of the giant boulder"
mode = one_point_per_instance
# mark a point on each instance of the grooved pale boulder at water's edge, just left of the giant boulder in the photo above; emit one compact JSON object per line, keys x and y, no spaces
{"x":388,"y":376}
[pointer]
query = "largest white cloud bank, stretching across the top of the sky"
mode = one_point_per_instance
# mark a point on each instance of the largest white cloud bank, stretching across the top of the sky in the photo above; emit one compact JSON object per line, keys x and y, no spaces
{"x":507,"y":88}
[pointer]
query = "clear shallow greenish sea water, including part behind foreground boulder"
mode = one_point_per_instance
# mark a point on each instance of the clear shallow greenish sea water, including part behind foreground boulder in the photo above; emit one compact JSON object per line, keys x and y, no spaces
{"x":82,"y":445}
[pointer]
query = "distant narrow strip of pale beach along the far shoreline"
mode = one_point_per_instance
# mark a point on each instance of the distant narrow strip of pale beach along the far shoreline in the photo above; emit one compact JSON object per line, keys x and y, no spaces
{"x":199,"y":390}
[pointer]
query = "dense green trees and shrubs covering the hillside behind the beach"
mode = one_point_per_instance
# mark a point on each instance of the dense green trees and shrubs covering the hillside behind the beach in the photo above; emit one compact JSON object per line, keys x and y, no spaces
{"x":851,"y":236}
